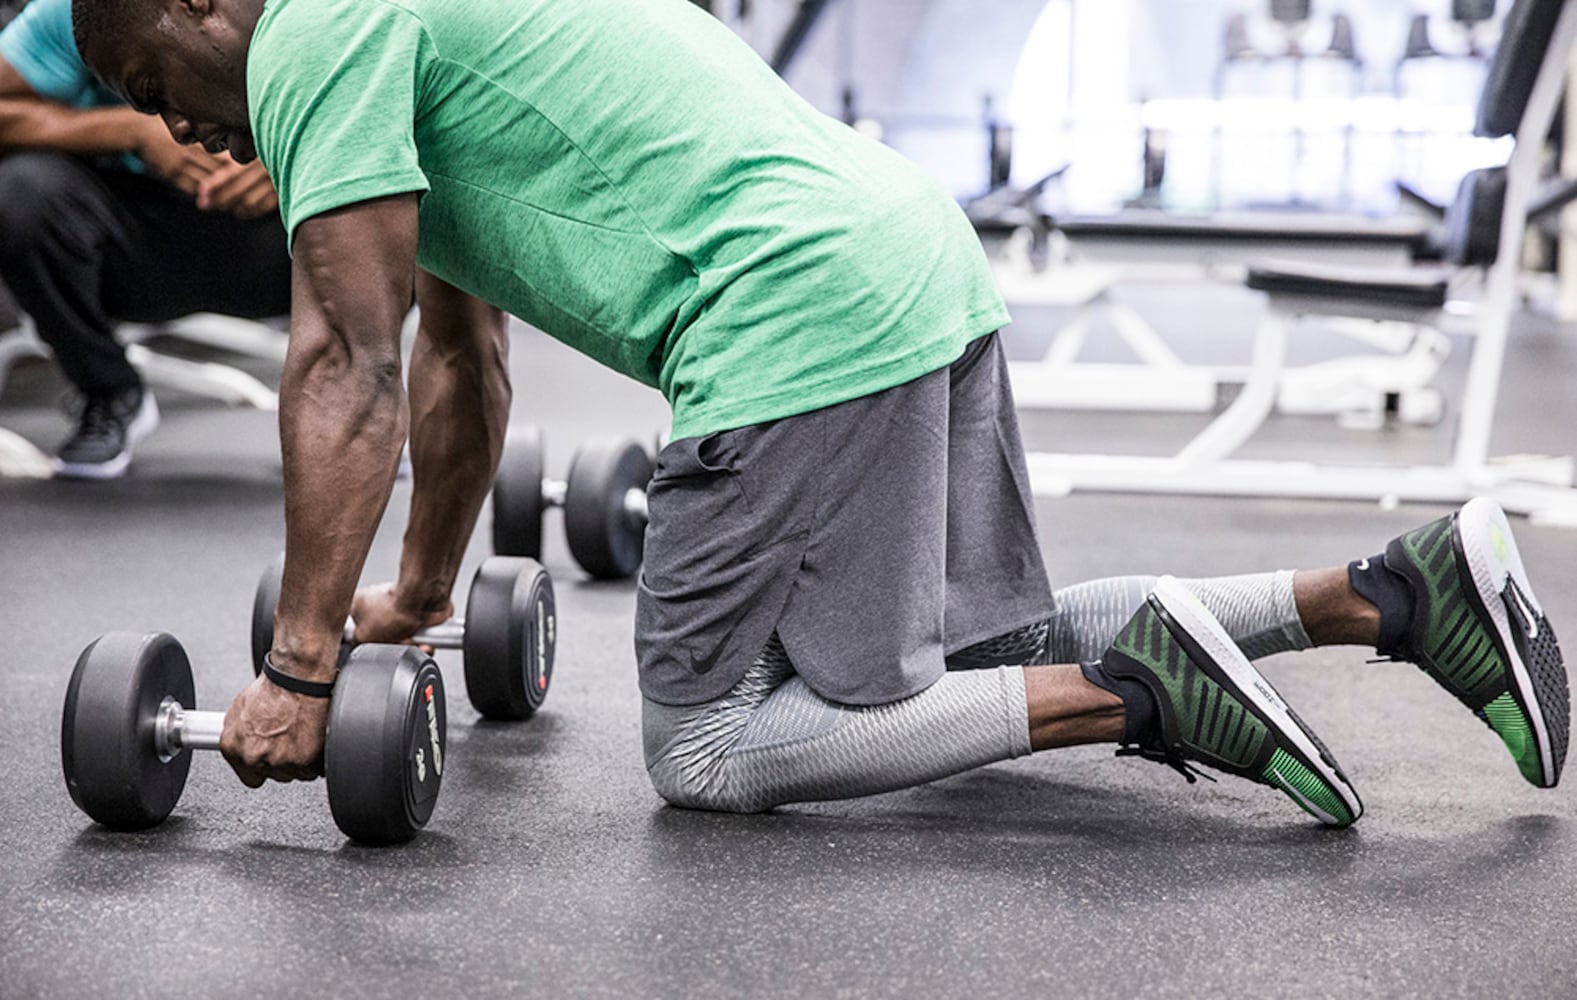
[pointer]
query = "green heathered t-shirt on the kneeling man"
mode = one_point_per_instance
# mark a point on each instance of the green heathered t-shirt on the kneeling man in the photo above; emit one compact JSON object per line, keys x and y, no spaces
{"x":632,"y":179}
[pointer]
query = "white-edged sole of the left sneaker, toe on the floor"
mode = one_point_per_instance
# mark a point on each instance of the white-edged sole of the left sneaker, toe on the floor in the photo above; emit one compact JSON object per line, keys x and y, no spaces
{"x":1220,"y":657}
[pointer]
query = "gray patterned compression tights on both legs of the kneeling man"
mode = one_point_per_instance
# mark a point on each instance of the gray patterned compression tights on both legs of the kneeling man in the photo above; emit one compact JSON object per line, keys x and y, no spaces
{"x":772,"y":741}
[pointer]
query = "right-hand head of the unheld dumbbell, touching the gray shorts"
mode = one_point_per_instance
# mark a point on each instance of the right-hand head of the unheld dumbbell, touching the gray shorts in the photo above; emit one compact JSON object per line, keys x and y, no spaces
{"x":603,"y":537}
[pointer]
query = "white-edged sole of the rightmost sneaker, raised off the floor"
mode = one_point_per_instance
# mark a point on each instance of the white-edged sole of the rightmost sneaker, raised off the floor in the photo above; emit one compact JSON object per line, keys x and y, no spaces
{"x":1486,"y":547}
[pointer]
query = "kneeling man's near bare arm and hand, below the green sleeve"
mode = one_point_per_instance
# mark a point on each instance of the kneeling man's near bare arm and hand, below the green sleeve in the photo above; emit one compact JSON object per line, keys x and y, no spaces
{"x":343,"y":420}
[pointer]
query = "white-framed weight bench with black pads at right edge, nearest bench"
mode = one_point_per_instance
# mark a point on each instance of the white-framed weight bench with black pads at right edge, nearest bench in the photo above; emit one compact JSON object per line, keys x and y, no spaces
{"x":1524,"y":86}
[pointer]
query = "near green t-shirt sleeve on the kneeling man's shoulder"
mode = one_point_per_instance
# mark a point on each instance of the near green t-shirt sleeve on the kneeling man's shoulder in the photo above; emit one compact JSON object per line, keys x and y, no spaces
{"x":334,"y":108}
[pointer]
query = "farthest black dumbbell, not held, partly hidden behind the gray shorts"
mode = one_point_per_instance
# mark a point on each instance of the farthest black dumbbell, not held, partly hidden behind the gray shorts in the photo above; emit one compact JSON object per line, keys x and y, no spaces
{"x":605,"y":502}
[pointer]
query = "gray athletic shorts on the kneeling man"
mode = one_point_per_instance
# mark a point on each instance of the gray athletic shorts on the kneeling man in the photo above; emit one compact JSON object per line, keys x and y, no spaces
{"x":874,"y":537}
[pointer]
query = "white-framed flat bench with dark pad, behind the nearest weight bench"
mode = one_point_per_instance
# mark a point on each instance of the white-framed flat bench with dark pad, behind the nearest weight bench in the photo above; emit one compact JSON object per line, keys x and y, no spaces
{"x":1351,"y":389}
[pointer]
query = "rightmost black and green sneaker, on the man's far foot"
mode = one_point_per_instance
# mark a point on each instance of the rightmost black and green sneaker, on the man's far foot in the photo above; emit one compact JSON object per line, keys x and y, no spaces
{"x":1480,"y":632}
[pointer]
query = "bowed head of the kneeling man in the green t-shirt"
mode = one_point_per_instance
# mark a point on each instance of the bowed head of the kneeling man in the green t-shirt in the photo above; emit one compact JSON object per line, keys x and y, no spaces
{"x":177,"y":67}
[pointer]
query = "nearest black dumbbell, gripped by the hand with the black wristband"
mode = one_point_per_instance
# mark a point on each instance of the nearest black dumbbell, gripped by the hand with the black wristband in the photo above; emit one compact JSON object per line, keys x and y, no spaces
{"x":132,"y":717}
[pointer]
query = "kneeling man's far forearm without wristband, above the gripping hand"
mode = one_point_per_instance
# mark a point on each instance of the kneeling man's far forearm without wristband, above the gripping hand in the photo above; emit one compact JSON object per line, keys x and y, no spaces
{"x":460,"y":400}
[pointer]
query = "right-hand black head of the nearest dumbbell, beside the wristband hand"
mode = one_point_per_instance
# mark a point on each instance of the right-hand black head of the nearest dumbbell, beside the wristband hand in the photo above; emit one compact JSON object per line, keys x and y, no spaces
{"x":387,"y":741}
